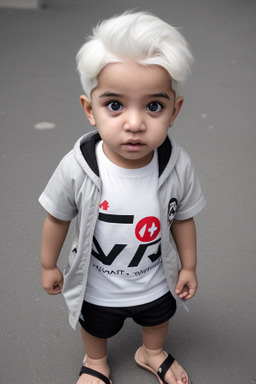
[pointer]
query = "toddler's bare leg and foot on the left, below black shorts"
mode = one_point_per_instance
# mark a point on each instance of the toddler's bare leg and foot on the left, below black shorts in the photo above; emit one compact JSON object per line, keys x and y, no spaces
{"x":96,"y":357}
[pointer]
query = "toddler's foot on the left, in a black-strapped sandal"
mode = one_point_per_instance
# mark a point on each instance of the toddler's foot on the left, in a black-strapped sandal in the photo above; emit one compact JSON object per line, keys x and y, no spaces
{"x":99,"y":365}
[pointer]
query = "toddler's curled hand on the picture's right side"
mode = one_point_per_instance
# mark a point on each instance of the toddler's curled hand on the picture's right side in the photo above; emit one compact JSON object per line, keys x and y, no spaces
{"x":187,"y":284}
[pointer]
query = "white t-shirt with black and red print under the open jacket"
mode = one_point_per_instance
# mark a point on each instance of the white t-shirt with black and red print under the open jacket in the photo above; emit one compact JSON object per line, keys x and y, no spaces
{"x":126,"y":265}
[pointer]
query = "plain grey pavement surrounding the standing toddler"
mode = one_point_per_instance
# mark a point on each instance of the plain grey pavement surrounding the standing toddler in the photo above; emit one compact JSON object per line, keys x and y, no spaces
{"x":216,"y":341}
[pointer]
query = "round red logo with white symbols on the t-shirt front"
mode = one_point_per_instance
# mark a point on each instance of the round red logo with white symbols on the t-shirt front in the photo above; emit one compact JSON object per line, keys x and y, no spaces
{"x":147,"y":229}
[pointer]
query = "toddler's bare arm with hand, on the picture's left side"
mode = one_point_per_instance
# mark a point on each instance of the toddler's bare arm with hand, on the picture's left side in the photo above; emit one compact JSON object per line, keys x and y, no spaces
{"x":53,"y":236}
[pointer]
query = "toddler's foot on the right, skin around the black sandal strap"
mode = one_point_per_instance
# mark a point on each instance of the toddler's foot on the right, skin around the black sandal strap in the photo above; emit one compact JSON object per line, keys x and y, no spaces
{"x":153,"y":359}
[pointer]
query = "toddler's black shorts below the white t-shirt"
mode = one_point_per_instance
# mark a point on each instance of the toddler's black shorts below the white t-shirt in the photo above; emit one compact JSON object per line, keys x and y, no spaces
{"x":105,"y":322}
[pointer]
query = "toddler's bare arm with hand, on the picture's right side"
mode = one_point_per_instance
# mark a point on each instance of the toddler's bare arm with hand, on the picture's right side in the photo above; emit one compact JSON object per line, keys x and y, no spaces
{"x":184,"y":234}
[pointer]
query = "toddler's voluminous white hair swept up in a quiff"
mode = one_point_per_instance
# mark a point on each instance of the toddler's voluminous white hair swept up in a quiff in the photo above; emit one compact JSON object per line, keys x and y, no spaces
{"x":140,"y":37}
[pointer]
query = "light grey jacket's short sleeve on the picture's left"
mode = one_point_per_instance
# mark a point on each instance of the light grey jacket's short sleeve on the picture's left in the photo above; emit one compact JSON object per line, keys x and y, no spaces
{"x":58,"y":198}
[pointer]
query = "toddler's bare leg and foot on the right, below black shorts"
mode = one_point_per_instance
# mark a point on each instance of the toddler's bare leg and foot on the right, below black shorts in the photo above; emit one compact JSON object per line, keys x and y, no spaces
{"x":152,"y":354}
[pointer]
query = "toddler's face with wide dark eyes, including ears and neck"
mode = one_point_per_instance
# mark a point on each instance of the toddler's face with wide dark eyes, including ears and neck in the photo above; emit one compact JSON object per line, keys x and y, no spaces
{"x":132,"y":106}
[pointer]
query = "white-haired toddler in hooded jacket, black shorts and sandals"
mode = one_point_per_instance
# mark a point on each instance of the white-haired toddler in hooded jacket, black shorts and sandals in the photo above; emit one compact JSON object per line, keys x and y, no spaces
{"x":134,"y":193}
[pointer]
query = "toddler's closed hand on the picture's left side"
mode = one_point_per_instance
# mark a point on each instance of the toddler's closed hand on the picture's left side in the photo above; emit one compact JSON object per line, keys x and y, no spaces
{"x":52,"y":280}
